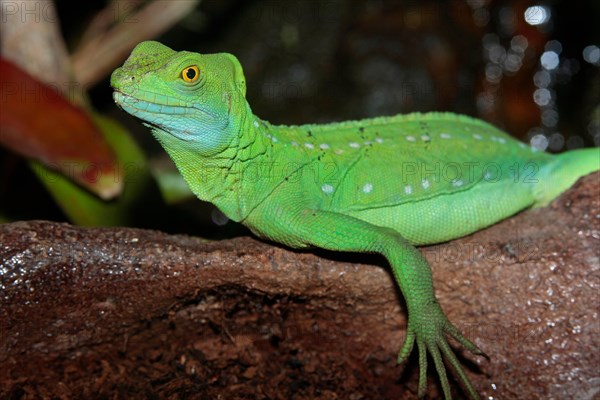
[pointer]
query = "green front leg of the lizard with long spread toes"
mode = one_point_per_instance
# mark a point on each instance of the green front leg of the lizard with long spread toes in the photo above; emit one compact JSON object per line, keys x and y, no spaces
{"x":428,"y":326}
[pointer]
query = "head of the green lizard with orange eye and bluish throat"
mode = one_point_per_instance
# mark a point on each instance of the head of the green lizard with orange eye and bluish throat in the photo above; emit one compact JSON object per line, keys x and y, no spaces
{"x":183,"y":96}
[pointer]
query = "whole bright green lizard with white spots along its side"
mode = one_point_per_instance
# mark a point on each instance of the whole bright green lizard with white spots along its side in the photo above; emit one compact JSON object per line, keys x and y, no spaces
{"x":379,"y":185}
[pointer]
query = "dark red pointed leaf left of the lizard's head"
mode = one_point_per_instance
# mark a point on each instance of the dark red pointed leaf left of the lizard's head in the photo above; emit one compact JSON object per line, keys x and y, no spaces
{"x":37,"y":122}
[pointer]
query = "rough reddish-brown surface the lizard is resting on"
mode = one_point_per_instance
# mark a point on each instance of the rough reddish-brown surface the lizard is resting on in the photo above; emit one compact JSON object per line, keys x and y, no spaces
{"x":129,"y":313}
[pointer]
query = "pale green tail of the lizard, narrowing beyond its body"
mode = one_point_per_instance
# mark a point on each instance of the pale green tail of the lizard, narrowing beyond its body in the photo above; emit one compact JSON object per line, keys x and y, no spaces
{"x":560,"y":174}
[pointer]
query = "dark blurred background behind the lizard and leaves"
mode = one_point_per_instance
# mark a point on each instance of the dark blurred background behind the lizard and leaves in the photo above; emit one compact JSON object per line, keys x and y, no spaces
{"x":320,"y":61}
